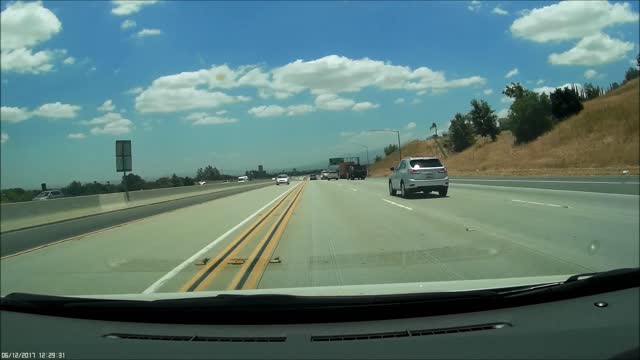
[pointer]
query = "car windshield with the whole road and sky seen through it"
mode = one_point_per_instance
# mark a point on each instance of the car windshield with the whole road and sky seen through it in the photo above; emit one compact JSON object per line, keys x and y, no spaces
{"x":180,"y":138}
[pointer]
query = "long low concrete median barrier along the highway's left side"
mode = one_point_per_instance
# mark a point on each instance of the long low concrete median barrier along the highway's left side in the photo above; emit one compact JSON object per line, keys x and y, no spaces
{"x":14,"y":216}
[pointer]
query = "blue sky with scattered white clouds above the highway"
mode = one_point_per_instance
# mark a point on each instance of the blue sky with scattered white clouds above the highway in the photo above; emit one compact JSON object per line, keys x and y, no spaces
{"x":278,"y":84}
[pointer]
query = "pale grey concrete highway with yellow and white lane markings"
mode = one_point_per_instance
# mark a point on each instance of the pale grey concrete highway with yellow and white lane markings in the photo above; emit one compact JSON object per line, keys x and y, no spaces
{"x":321,"y":233}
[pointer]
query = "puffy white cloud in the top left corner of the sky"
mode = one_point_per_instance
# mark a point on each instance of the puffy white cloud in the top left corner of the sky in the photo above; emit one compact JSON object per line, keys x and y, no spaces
{"x":24,"y":25}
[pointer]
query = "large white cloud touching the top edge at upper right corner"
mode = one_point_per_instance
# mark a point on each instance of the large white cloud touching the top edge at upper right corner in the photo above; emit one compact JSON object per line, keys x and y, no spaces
{"x":568,"y":20}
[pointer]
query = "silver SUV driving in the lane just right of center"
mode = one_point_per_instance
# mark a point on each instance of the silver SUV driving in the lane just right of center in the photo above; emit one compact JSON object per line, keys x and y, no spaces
{"x":419,"y":174}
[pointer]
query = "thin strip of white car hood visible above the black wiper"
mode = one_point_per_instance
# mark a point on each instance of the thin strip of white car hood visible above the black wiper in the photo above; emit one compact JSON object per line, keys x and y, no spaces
{"x":352,"y":290}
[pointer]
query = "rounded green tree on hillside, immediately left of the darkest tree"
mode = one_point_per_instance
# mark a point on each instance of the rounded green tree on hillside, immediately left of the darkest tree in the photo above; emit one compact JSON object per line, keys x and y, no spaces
{"x":530,"y":116}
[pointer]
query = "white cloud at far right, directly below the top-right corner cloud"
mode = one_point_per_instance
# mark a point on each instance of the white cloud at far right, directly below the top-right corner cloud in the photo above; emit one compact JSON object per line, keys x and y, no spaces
{"x":593,"y":50}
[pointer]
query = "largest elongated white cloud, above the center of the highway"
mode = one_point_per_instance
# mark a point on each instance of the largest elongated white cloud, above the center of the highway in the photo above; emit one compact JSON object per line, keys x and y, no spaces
{"x":335,"y":74}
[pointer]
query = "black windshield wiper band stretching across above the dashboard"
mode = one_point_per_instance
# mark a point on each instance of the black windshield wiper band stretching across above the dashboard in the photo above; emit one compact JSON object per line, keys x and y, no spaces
{"x":278,"y":309}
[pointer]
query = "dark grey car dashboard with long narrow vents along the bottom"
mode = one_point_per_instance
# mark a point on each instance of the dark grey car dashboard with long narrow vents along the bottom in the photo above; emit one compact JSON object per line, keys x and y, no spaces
{"x":602,"y":326}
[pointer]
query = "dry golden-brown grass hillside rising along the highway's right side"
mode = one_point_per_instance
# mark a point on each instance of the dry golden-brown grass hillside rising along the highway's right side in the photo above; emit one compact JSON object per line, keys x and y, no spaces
{"x":603,"y":139}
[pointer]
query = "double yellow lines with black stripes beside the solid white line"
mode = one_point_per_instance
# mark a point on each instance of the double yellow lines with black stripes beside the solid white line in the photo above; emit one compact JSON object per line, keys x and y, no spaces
{"x":253,"y":268}
